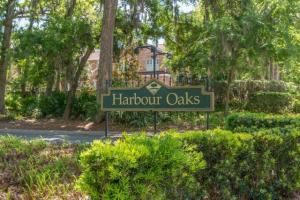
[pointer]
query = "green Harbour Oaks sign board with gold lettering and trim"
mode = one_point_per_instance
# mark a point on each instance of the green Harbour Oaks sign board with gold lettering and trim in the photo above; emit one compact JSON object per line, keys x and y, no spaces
{"x":155,"y":96}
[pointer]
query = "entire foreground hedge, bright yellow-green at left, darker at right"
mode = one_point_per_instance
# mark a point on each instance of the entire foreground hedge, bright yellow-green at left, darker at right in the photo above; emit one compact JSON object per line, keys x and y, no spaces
{"x":195,"y":165}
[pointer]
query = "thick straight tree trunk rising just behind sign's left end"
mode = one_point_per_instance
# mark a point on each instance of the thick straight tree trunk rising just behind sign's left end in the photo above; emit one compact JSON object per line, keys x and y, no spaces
{"x":106,"y":50}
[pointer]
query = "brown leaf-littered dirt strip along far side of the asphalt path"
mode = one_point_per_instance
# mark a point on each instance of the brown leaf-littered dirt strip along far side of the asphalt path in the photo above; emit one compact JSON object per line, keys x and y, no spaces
{"x":76,"y":125}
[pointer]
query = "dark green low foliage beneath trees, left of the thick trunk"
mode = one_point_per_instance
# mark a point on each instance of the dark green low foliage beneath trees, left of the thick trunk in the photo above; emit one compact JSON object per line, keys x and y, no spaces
{"x":85,"y":106}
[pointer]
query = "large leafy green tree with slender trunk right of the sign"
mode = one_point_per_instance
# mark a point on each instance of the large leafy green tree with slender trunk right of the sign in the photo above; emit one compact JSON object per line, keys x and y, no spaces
{"x":233,"y":39}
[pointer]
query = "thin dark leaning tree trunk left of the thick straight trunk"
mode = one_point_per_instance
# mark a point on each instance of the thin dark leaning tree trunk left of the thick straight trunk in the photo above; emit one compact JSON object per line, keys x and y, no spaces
{"x":74,"y":84}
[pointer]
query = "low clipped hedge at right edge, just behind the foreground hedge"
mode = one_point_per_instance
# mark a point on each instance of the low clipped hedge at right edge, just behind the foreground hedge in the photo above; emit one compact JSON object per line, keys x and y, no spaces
{"x":250,"y":122}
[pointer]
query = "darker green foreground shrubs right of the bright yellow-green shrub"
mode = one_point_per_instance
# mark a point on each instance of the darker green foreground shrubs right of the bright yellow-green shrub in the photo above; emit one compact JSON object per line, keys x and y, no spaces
{"x":248,"y":166}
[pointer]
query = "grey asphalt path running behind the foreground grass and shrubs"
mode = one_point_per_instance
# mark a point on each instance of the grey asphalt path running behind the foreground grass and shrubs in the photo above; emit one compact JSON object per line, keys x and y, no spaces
{"x":59,"y":136}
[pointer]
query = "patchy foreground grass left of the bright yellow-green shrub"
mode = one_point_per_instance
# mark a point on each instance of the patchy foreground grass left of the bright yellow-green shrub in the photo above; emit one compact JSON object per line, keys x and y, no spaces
{"x":38,"y":170}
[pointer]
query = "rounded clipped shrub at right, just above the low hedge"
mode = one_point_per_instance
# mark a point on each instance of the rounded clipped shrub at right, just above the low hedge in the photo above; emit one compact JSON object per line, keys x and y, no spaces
{"x":270,"y":102}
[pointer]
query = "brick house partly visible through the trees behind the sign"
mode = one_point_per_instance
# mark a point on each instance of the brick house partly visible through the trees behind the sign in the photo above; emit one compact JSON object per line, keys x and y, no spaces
{"x":144,"y":68}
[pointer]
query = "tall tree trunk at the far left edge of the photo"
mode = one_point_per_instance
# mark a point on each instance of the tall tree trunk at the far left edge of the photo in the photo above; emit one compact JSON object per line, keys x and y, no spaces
{"x":5,"y":51}
